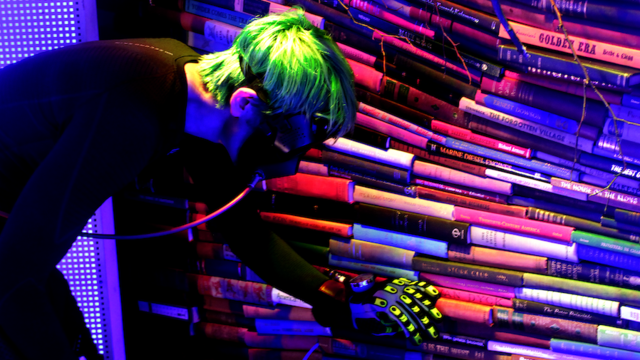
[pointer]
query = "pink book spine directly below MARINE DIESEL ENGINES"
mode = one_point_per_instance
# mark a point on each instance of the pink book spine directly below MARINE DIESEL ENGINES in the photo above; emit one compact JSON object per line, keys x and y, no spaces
{"x":437,"y":172}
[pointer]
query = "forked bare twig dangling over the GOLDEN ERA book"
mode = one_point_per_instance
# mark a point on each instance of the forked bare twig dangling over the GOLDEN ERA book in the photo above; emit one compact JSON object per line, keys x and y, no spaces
{"x":587,"y":80}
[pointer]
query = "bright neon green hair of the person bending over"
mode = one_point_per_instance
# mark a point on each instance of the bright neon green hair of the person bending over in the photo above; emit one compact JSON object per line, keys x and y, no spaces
{"x":304,"y":70}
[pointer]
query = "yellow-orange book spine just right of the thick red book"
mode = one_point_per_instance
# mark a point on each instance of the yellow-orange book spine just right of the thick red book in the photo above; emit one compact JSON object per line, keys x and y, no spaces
{"x":399,"y":202}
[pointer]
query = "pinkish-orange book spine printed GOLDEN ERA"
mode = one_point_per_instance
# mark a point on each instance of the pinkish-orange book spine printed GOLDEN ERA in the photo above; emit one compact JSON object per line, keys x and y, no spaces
{"x":614,"y":54}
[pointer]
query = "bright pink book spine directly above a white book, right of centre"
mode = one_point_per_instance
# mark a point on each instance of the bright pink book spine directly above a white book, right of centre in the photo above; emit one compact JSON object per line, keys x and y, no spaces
{"x":510,"y":223}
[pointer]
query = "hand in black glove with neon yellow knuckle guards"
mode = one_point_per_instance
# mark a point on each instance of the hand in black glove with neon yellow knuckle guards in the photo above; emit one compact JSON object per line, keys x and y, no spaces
{"x":395,"y":305}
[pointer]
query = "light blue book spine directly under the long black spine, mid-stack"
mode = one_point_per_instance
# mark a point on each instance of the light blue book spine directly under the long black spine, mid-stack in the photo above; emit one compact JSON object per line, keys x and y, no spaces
{"x":404,"y":241}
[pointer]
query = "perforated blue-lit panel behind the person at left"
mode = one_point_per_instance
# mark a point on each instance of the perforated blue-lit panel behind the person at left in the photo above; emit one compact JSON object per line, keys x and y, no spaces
{"x":28,"y":27}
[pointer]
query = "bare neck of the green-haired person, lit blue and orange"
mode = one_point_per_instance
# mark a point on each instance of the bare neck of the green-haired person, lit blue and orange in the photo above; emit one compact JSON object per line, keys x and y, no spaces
{"x":205,"y":120}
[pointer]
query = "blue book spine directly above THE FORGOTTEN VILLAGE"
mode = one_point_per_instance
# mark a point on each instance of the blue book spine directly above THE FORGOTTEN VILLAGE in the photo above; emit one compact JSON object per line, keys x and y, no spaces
{"x":530,"y":113}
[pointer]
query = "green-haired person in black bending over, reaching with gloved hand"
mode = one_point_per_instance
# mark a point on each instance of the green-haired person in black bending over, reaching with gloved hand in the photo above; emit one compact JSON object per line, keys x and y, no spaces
{"x":79,"y":123}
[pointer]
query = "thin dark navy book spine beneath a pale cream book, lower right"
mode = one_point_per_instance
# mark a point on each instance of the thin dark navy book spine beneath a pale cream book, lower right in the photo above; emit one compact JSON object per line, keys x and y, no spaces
{"x":563,"y":312}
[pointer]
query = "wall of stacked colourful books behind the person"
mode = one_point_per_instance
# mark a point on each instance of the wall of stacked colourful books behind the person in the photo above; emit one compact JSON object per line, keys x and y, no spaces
{"x":499,"y":177}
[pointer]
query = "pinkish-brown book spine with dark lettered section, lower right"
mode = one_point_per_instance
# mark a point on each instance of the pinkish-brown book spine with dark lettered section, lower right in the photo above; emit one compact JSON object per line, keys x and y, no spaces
{"x":543,"y":325}
